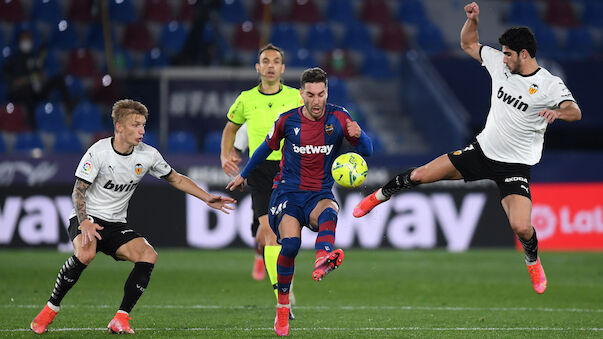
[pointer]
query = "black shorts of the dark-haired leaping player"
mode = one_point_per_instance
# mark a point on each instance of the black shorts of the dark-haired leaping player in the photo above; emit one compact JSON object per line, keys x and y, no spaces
{"x":511,"y":178}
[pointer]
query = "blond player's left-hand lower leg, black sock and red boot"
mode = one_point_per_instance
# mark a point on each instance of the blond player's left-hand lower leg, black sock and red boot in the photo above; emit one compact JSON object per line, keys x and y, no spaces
{"x":68,"y":275}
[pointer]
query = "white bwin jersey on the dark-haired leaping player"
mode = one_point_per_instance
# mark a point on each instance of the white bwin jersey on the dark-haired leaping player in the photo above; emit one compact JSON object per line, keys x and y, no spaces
{"x":514,"y":133}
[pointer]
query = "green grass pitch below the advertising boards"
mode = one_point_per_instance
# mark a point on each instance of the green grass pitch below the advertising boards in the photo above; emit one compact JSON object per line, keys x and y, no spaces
{"x":381,"y":293}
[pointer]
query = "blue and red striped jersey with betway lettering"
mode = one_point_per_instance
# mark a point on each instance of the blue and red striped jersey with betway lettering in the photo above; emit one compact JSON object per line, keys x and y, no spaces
{"x":310,"y":147}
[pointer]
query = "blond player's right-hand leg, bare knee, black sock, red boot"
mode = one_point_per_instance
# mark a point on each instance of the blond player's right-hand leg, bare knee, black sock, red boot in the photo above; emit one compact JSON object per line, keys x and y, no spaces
{"x":142,"y":254}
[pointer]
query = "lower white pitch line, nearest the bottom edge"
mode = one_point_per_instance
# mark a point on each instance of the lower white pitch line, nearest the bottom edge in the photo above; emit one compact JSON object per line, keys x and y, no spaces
{"x":221,"y":329}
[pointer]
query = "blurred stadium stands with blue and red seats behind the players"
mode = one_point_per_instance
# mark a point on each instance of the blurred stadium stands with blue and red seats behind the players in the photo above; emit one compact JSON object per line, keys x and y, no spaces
{"x":396,"y":65}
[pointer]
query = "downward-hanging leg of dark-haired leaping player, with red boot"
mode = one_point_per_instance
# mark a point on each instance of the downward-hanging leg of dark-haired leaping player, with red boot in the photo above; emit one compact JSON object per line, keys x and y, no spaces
{"x":519,"y":211}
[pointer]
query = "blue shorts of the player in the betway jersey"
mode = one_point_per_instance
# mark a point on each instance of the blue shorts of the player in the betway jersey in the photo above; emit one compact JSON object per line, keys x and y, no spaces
{"x":298,"y":204}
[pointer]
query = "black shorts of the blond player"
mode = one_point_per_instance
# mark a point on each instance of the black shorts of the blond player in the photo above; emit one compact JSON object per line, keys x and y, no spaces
{"x":113,"y":235}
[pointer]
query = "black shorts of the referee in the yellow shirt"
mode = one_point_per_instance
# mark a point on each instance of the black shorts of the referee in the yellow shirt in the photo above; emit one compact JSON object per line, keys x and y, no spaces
{"x":261,"y":181}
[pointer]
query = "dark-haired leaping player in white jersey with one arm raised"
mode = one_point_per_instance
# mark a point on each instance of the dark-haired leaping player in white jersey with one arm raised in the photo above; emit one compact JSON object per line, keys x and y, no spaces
{"x":525,"y":99}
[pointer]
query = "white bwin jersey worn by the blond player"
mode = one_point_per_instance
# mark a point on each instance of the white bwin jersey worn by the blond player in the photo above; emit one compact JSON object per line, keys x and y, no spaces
{"x":113,"y":177}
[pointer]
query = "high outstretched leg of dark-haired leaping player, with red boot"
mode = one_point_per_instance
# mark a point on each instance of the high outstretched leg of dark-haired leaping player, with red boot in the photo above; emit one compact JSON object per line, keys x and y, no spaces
{"x":438,"y":169}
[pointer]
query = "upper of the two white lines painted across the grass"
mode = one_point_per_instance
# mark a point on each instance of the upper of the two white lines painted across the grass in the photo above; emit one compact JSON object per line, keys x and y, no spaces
{"x":347,"y":308}
